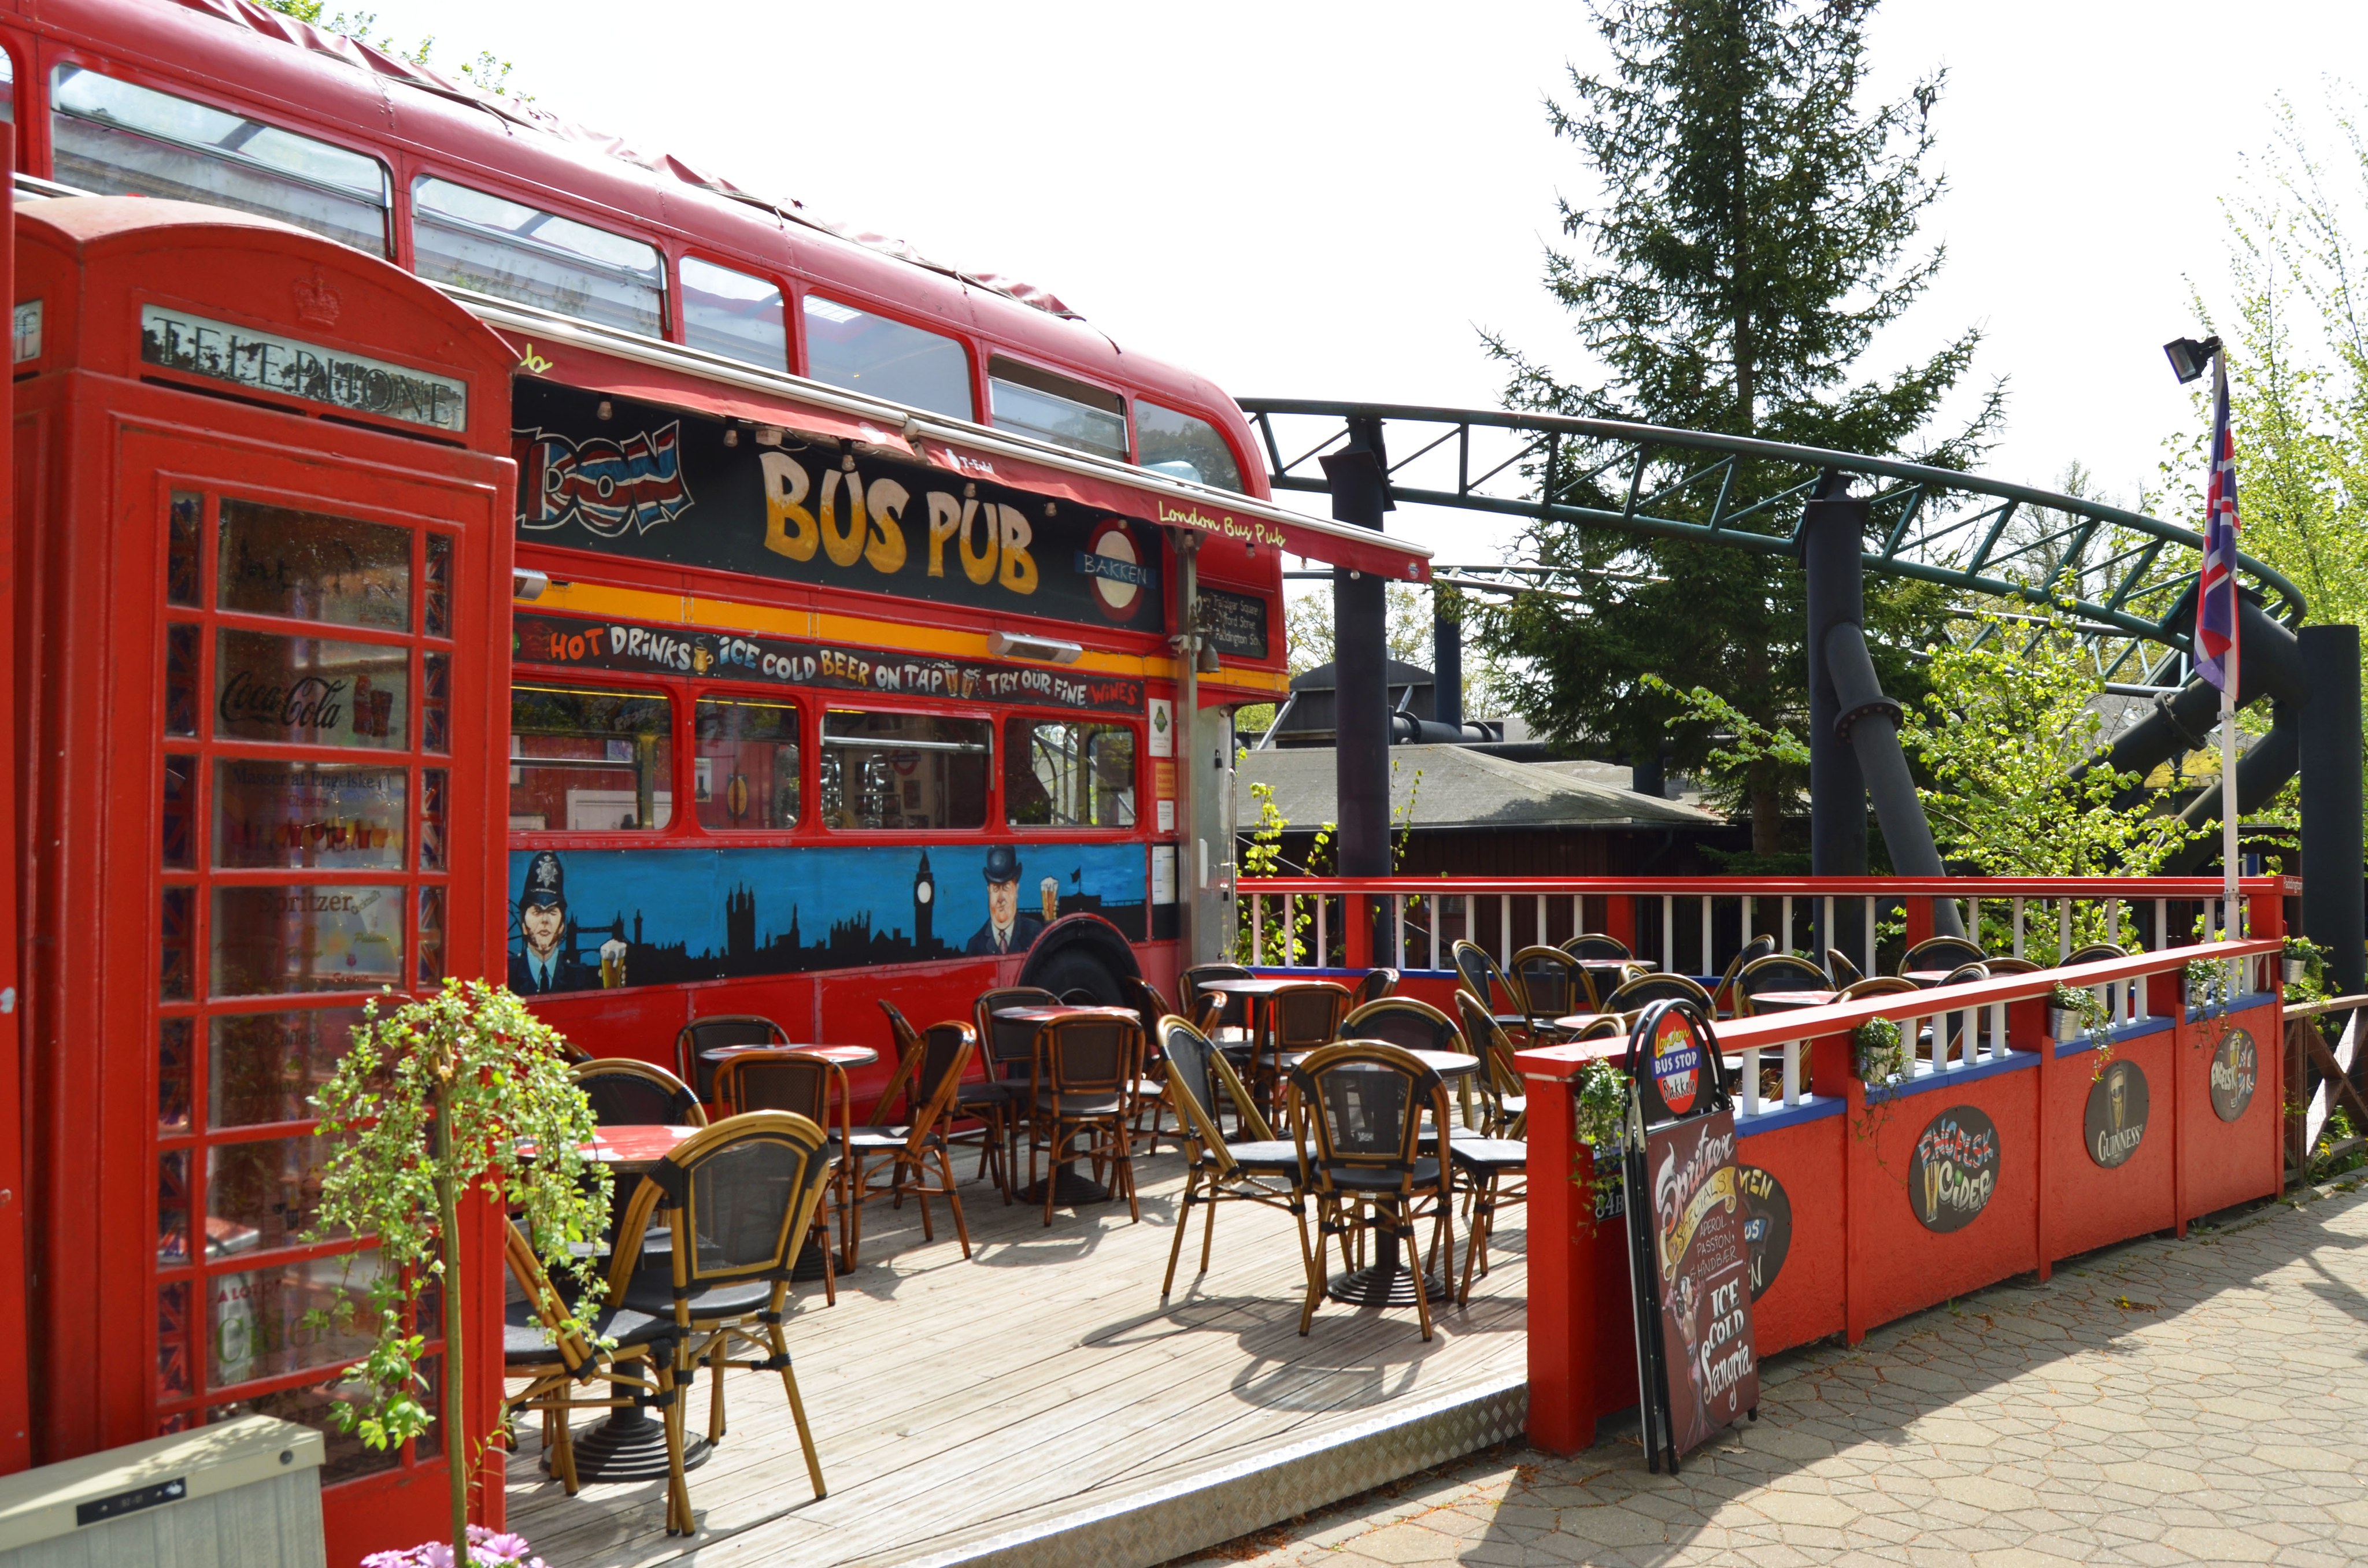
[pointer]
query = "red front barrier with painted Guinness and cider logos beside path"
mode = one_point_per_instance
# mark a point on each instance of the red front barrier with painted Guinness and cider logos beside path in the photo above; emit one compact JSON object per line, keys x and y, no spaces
{"x":2192,"y":1105}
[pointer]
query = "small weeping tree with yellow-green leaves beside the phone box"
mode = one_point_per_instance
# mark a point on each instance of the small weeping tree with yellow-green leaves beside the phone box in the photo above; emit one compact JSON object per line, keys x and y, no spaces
{"x":442,"y":1100}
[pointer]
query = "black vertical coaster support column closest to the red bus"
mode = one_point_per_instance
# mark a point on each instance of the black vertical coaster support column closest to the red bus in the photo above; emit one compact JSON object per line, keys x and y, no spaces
{"x":1360,"y":489}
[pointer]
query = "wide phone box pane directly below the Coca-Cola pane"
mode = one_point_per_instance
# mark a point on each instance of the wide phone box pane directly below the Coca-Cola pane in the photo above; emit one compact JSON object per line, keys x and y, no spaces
{"x":335,"y":816}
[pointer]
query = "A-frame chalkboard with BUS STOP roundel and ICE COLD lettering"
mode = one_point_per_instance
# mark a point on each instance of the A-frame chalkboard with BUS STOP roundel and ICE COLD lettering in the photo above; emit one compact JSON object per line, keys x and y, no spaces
{"x":1697,"y":1361}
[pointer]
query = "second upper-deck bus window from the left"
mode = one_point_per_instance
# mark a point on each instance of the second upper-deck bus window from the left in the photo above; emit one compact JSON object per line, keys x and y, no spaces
{"x":539,"y":259}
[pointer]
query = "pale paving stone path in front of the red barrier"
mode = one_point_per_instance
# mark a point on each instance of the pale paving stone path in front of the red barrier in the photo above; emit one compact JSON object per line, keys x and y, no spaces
{"x":2194,"y":1401}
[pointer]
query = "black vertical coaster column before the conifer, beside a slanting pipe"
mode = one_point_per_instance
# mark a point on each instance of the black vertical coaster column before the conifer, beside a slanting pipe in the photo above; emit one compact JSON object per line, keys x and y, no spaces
{"x":1834,"y":532}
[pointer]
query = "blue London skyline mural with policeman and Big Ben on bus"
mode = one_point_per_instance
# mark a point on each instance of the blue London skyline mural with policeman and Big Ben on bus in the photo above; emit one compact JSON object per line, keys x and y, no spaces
{"x":591,"y":920}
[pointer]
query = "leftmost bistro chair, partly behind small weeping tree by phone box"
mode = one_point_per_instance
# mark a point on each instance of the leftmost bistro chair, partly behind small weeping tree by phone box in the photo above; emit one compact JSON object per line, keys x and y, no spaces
{"x":572,"y":1370}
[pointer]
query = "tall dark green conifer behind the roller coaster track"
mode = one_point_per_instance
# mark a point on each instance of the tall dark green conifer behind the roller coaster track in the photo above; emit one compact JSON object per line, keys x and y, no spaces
{"x":1756,"y":231}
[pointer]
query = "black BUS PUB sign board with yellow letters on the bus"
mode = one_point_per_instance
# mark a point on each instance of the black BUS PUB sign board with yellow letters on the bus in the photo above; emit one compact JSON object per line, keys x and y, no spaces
{"x":664,"y":484}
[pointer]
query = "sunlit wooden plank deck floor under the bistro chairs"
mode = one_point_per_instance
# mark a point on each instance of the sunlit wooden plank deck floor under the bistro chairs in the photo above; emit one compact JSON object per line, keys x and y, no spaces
{"x":951,"y":1394}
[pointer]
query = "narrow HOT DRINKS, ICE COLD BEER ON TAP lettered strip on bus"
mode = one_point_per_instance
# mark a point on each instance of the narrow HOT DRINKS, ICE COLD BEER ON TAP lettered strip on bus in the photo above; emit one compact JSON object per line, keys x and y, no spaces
{"x":586,"y":643}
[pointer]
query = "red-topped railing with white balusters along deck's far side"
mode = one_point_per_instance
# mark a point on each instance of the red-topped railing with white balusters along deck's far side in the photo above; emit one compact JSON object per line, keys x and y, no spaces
{"x":1694,"y":925}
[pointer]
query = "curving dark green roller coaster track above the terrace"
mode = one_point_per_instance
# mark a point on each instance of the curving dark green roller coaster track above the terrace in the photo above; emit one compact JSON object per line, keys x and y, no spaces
{"x":2123,"y":577}
